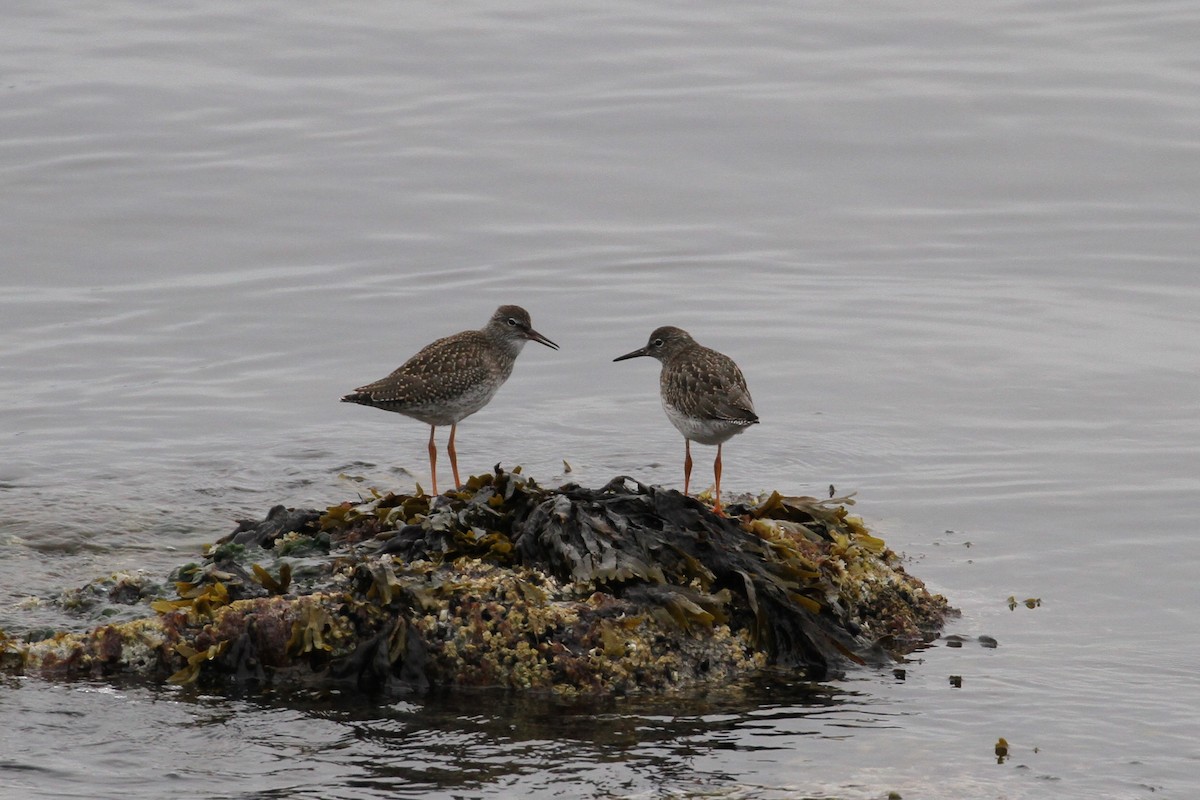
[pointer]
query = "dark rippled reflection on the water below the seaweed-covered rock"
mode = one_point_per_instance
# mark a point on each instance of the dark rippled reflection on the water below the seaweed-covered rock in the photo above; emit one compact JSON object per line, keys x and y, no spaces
{"x":482,"y":741}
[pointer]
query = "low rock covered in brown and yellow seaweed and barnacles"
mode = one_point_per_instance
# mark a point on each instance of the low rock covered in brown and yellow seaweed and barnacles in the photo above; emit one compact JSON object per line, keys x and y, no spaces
{"x":625,"y":588}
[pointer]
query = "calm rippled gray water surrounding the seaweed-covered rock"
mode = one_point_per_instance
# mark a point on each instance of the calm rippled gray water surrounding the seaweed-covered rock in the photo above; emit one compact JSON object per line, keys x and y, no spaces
{"x":953,"y":249}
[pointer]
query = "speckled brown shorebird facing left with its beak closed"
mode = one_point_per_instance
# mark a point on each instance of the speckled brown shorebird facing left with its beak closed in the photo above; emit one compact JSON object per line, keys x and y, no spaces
{"x":704,"y":394}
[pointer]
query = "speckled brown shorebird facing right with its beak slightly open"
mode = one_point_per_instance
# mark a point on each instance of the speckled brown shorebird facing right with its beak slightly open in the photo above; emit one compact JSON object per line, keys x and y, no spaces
{"x":454,"y":377}
